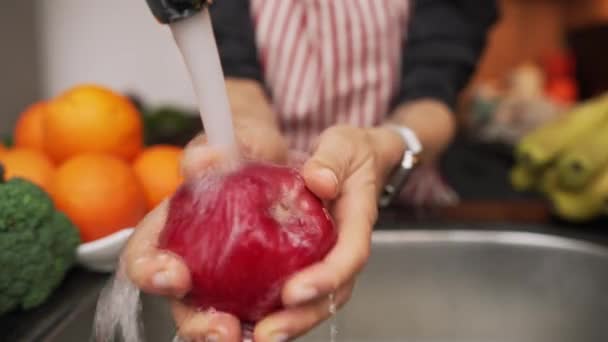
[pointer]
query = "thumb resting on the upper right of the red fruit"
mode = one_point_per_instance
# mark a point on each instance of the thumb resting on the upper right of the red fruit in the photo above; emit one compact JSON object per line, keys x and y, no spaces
{"x":325,"y":171}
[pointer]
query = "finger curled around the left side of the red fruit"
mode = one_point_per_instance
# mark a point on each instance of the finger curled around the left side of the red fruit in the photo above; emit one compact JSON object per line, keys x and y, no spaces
{"x":149,"y":268}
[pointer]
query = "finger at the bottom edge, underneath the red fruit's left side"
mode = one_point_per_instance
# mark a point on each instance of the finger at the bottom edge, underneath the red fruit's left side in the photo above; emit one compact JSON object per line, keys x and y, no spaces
{"x":210,"y":326}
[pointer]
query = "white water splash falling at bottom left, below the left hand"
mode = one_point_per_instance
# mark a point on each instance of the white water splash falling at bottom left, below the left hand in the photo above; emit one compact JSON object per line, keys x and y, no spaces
{"x":118,"y":311}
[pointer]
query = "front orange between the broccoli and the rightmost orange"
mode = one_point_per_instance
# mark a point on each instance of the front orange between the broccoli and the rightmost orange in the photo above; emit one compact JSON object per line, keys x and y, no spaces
{"x":99,"y":193}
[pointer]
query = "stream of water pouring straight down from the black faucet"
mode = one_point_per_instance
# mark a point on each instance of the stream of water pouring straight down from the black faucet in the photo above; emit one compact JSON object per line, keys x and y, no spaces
{"x":196,"y":42}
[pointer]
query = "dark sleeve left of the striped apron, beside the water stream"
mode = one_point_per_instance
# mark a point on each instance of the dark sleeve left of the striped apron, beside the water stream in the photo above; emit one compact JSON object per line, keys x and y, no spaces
{"x":233,"y":28}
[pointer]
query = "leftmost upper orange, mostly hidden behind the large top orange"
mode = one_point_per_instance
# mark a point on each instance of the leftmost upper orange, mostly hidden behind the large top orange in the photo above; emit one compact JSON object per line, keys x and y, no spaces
{"x":29,"y":127}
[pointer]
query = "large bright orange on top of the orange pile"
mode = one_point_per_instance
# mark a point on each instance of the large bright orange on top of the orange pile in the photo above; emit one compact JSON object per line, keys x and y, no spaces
{"x":92,"y":119}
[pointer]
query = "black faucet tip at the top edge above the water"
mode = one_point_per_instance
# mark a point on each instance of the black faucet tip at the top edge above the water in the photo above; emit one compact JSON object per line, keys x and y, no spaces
{"x":170,"y":11}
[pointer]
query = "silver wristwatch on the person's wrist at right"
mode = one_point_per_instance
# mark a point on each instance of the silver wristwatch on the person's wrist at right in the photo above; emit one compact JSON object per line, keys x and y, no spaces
{"x":397,"y":180}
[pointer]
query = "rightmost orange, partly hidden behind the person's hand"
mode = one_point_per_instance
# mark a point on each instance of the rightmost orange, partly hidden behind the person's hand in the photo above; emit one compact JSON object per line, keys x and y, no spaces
{"x":157,"y":169}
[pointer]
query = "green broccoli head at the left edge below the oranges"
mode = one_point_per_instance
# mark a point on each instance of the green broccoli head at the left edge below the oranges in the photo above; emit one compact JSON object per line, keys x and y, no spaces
{"x":37,"y":245}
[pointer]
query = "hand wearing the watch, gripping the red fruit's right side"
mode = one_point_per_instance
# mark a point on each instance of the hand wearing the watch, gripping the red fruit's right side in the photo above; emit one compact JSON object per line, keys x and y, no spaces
{"x":346,"y":169}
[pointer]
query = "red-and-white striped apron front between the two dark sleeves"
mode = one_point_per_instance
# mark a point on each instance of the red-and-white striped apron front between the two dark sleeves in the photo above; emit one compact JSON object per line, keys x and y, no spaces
{"x":329,"y":61}
